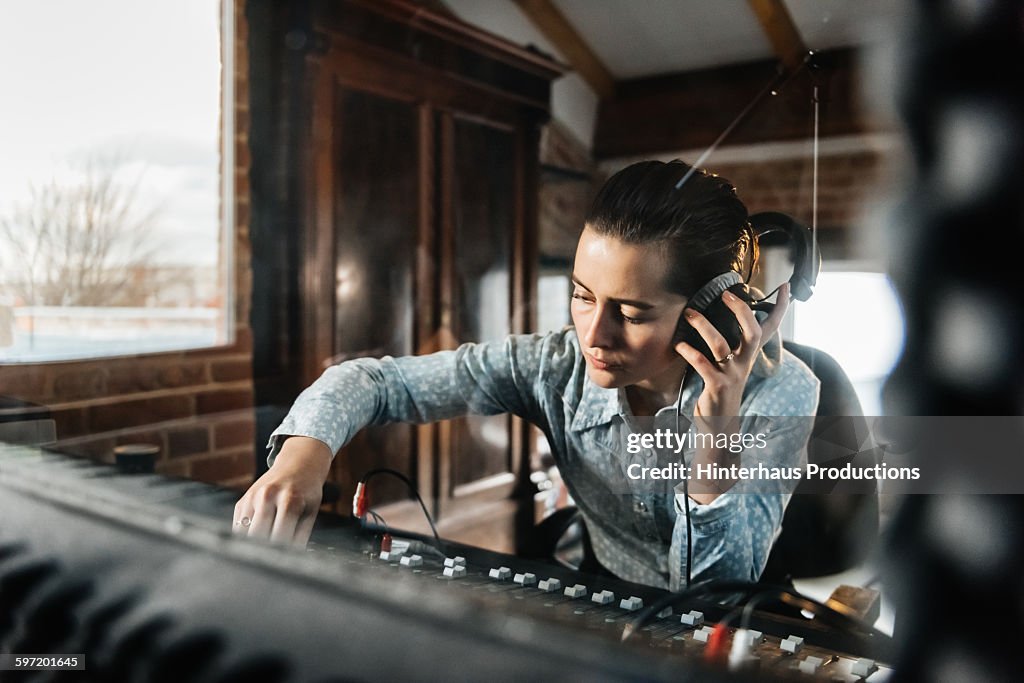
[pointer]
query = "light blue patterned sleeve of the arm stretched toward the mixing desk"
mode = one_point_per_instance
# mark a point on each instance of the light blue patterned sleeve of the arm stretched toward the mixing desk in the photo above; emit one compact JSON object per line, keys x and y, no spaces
{"x":482,"y":379}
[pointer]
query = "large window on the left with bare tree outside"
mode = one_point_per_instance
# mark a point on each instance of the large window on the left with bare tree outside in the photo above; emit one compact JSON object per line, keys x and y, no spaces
{"x":114,"y":239}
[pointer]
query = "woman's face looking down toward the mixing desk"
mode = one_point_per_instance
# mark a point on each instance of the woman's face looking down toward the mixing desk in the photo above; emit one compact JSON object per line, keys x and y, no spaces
{"x":624,"y":318}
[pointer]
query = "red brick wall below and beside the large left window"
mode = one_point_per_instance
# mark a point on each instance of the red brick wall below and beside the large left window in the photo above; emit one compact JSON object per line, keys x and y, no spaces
{"x":196,"y":406}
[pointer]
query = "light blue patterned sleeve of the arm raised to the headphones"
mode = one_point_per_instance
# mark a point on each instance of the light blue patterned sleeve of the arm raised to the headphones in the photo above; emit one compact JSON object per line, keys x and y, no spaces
{"x":734,"y":535}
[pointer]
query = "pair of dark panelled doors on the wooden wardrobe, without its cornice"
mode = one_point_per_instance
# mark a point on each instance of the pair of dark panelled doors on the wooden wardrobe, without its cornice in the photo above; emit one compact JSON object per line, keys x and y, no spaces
{"x":415,"y":243}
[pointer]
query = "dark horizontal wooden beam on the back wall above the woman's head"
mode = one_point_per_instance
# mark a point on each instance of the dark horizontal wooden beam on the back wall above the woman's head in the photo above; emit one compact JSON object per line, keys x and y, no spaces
{"x":670,"y":114}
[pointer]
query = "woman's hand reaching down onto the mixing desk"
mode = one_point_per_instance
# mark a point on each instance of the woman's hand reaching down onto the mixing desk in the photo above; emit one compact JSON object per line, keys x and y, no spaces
{"x":282,"y":505}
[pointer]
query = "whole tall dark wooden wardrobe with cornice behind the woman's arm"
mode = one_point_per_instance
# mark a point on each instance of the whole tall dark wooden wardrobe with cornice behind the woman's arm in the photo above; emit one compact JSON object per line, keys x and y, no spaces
{"x":417,"y":233}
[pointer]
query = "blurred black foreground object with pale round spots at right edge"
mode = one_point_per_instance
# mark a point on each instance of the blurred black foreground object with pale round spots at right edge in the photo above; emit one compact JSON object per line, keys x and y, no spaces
{"x":956,"y":239}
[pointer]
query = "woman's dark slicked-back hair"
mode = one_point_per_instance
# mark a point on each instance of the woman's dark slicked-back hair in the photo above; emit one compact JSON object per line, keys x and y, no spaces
{"x":703,"y":226}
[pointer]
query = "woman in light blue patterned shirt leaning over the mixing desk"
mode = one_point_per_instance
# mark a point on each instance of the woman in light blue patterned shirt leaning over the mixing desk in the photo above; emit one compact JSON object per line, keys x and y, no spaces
{"x":647,"y":249}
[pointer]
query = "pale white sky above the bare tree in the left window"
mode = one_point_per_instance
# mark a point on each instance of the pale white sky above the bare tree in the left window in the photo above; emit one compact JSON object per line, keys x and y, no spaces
{"x":135,"y":79}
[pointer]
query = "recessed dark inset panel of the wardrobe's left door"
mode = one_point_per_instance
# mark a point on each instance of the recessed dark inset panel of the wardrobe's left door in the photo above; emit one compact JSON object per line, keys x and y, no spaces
{"x":376,"y":222}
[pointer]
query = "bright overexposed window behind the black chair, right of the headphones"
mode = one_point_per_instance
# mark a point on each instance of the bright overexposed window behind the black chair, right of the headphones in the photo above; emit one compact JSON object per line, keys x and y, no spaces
{"x":855,"y":317}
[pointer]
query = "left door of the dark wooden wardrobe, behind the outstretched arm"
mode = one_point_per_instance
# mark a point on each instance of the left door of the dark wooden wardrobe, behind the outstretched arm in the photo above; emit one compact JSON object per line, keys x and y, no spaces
{"x":362,"y":260}
